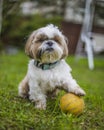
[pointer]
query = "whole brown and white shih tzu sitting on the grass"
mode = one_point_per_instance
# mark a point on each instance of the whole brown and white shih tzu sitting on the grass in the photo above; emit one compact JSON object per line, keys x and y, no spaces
{"x":47,"y":69}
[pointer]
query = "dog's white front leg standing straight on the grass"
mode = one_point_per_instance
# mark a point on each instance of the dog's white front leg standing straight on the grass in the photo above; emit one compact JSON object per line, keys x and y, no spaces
{"x":36,"y":95}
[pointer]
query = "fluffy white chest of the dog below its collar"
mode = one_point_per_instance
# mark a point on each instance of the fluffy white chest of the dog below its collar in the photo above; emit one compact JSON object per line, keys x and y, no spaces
{"x":47,"y":80}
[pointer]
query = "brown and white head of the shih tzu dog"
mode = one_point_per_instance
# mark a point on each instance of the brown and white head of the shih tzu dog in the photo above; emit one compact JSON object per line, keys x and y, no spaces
{"x":47,"y":45}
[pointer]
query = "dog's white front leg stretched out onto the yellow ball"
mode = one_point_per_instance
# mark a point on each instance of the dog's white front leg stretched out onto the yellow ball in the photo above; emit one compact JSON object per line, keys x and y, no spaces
{"x":71,"y":85}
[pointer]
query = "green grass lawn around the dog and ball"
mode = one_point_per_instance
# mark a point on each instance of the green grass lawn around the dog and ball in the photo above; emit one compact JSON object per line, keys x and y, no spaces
{"x":20,"y":114}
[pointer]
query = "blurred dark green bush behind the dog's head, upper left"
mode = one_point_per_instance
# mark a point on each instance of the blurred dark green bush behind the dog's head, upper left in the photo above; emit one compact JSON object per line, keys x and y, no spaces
{"x":17,"y":28}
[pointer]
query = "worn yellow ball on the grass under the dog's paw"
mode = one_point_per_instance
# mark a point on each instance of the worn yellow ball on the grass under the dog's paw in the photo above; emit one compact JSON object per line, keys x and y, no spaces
{"x":71,"y":103}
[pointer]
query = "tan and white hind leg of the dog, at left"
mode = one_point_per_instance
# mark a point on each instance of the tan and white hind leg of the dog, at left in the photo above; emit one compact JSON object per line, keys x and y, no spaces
{"x":23,"y":88}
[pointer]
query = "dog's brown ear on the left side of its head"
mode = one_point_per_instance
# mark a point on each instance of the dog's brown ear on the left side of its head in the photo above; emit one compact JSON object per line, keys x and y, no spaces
{"x":28,"y":50}
